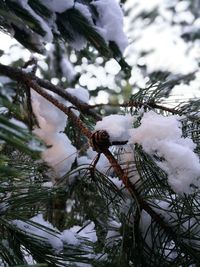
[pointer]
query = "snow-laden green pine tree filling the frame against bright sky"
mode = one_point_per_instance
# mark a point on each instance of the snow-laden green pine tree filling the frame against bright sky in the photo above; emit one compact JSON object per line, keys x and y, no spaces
{"x":87,"y":184}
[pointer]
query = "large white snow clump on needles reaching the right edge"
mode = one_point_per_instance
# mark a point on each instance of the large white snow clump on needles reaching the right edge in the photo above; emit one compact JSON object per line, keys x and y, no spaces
{"x":163,"y":136}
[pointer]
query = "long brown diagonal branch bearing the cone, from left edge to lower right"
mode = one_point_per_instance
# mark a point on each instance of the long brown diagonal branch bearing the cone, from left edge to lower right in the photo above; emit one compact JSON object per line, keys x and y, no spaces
{"x":19,"y":75}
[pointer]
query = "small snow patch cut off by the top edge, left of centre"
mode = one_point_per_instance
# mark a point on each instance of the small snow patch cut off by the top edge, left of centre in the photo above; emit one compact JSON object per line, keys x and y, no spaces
{"x":58,"y":5}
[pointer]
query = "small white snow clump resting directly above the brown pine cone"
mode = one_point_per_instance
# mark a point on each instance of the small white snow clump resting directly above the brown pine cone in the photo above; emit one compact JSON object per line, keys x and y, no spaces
{"x":117,"y":126}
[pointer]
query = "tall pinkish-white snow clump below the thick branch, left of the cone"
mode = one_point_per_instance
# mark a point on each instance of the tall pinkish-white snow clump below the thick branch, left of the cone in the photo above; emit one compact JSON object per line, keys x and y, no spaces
{"x":61,"y":154}
